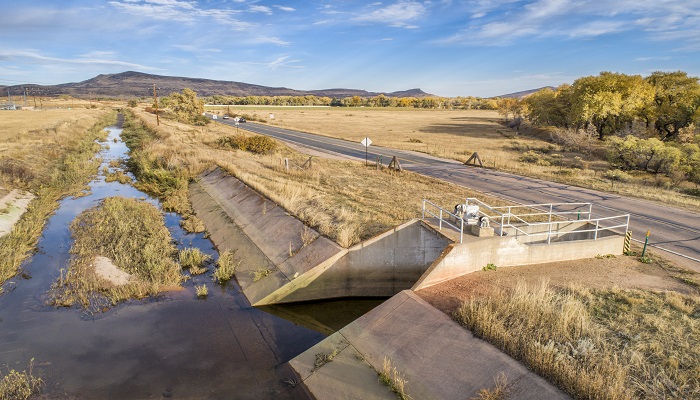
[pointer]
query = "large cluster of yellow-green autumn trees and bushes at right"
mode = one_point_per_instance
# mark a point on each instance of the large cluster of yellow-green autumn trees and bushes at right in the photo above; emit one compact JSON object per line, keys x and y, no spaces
{"x":648,"y":123}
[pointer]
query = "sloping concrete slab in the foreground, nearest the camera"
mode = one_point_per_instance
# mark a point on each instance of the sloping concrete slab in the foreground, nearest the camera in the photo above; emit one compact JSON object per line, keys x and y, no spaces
{"x":437,"y":357}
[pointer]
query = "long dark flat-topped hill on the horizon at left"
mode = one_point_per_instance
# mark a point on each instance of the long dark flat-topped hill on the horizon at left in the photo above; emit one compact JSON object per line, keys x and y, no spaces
{"x":136,"y":84}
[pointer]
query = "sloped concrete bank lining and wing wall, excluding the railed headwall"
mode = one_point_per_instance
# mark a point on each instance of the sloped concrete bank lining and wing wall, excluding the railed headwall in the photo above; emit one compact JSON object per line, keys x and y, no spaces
{"x":284,"y":261}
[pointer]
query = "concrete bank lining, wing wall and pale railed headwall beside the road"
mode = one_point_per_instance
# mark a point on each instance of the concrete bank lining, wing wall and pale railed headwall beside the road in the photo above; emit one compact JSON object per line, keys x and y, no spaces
{"x":284,"y":261}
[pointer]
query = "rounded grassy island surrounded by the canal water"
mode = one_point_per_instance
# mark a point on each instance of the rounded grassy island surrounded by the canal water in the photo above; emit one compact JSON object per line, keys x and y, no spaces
{"x":132,"y":234}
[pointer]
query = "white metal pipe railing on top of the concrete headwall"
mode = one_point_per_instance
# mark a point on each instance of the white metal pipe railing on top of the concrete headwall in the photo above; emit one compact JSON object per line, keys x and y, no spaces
{"x":550,"y":217}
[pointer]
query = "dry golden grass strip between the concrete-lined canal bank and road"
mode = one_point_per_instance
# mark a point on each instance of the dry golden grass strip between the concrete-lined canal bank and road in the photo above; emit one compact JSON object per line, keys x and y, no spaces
{"x":343,"y":200}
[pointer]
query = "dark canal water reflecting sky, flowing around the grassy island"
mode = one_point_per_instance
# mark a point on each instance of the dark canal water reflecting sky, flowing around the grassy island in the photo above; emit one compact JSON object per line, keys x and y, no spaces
{"x":171,"y":346}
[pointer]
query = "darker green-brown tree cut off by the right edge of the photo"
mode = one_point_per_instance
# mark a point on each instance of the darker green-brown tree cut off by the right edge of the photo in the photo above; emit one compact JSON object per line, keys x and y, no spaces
{"x":676,"y":101}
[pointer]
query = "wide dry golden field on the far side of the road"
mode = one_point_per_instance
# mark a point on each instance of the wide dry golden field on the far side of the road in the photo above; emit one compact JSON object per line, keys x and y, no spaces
{"x":456,"y":134}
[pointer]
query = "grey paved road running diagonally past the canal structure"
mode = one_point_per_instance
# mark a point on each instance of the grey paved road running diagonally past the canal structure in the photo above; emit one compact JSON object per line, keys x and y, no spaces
{"x":673,"y":230}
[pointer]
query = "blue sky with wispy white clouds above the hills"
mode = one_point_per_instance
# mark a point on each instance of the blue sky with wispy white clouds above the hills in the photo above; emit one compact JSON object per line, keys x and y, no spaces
{"x":448,"y":48}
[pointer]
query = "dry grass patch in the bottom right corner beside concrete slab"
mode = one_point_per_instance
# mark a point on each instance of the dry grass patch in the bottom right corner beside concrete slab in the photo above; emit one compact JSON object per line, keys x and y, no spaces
{"x":596,"y":343}
